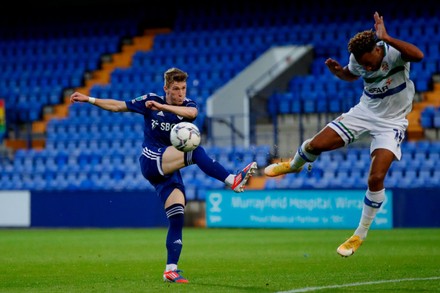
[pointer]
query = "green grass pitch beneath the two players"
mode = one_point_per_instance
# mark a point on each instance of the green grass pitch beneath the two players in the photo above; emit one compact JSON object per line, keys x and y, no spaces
{"x":218,"y":260}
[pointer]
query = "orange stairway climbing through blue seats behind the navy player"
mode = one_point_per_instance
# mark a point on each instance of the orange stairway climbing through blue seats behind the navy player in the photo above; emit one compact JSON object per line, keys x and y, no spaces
{"x":117,"y":60}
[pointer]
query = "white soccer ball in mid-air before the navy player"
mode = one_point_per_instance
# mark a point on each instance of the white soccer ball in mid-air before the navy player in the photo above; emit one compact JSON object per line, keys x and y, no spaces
{"x":185,"y":136}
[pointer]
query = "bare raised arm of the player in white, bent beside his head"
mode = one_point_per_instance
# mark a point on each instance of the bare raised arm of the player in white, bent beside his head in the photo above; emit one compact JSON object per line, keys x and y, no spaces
{"x":410,"y":52}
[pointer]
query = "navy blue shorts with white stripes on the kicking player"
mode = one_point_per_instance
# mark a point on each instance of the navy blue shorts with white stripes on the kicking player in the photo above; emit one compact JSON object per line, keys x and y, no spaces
{"x":151,"y":167}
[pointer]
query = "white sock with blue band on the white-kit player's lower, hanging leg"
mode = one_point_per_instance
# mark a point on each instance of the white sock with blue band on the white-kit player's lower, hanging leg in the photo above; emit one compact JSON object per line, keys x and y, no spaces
{"x":372,"y":202}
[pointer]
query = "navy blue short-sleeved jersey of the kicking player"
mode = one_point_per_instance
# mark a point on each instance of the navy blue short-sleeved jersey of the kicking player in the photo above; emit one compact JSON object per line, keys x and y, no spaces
{"x":157,"y":124}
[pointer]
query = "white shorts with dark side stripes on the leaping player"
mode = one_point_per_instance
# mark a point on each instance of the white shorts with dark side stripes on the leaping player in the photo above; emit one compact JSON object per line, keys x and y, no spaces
{"x":359,"y":121}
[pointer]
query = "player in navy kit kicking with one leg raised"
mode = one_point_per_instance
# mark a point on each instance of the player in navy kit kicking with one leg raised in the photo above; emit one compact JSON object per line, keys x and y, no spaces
{"x":161,"y":163}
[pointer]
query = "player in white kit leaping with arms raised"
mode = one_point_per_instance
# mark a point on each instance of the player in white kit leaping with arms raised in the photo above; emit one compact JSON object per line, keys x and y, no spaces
{"x":383,"y":63}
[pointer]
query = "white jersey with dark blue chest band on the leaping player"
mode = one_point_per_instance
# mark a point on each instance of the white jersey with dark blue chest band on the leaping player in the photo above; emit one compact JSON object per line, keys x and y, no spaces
{"x":388,"y":92}
